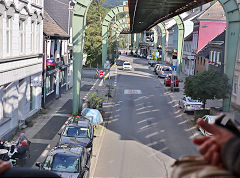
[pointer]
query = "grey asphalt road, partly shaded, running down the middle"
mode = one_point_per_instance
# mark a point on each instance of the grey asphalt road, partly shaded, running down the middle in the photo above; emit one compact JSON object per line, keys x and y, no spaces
{"x":145,"y":133}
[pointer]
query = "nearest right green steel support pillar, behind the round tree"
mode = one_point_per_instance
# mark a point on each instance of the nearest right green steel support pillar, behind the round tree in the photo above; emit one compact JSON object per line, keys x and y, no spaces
{"x":231,"y":42}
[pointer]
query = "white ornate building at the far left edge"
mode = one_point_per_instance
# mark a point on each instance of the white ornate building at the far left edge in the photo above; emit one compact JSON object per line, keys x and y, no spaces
{"x":21,"y":43}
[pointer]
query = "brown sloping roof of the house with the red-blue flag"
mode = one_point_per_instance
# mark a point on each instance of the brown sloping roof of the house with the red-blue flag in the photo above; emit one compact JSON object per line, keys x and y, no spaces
{"x":52,"y":29}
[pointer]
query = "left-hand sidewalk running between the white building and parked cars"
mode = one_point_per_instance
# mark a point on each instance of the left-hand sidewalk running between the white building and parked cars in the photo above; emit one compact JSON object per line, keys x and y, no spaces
{"x":46,"y":125}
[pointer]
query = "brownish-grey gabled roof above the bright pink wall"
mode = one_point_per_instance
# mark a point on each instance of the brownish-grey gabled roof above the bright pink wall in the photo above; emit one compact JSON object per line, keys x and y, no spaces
{"x":215,"y":13}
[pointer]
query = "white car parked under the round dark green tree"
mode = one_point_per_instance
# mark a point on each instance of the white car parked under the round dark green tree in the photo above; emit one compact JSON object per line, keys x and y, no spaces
{"x":189,"y":104}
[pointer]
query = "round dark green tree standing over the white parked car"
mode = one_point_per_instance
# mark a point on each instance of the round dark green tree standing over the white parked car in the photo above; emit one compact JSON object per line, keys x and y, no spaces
{"x":207,"y":85}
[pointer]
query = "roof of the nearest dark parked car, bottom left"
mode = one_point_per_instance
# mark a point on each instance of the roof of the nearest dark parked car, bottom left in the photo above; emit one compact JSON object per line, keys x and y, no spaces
{"x":71,"y":150}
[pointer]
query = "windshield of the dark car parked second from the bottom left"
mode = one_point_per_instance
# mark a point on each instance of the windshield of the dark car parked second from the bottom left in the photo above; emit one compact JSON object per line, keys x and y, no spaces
{"x":74,"y":131}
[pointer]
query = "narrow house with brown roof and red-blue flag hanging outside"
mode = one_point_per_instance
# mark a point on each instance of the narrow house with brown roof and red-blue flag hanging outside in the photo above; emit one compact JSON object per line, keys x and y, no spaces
{"x":57,"y":74}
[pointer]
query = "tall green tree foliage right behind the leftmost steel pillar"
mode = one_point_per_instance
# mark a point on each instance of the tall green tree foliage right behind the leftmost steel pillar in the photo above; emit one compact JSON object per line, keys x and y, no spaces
{"x":93,"y":39}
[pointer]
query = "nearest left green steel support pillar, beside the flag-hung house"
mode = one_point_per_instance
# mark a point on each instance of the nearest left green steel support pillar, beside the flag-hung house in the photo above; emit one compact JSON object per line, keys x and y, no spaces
{"x":78,"y":25}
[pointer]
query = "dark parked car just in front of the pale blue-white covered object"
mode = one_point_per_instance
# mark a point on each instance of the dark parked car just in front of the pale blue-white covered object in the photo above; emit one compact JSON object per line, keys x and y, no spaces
{"x":80,"y":132}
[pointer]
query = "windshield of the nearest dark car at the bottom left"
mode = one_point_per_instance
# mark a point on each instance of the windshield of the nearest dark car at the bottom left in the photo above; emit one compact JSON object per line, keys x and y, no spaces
{"x":65,"y":163}
